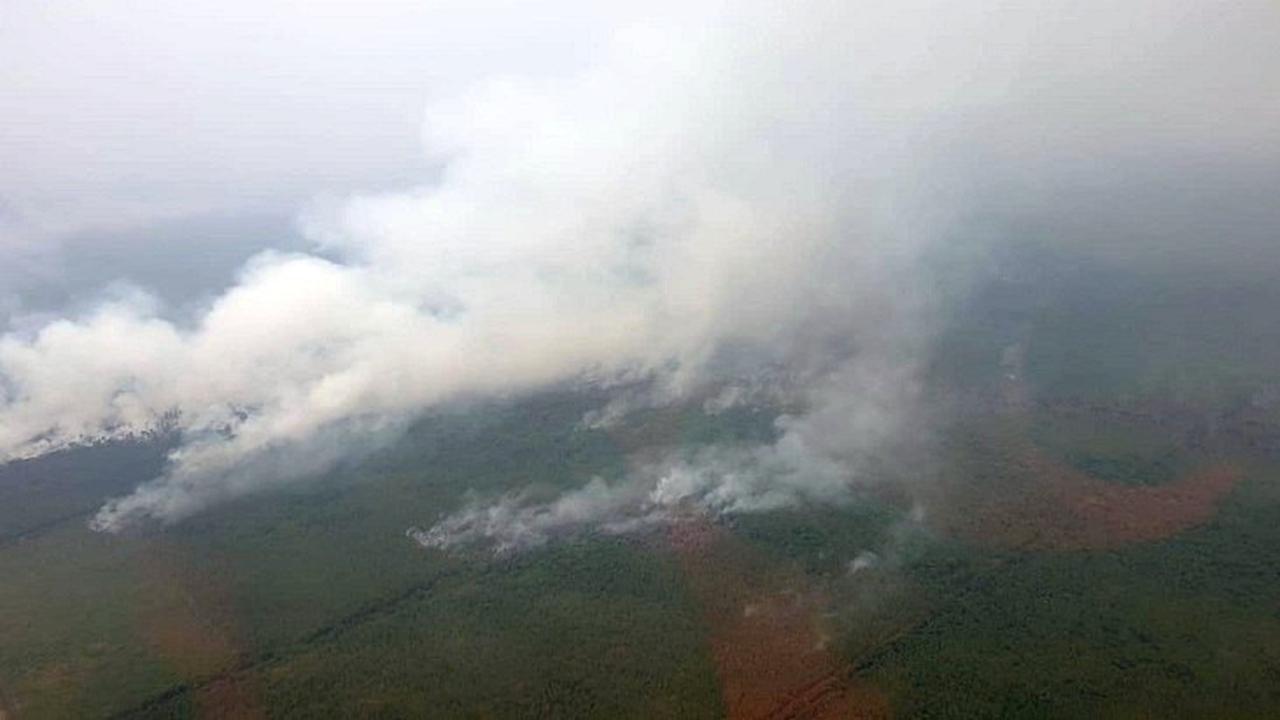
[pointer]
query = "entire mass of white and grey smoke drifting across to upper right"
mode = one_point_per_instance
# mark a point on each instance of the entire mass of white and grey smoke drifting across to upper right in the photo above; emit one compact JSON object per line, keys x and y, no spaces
{"x":769,"y":185}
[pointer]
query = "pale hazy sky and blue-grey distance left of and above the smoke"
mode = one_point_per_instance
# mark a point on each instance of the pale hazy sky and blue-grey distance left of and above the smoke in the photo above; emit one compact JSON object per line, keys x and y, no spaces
{"x":134,"y":126}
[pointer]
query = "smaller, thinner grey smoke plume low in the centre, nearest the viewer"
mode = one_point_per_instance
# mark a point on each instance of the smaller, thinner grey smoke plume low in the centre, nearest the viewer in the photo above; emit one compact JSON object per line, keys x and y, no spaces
{"x":858,"y":416}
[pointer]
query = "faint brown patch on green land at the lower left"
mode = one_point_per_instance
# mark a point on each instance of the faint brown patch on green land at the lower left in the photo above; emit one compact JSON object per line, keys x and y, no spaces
{"x":190,"y":623}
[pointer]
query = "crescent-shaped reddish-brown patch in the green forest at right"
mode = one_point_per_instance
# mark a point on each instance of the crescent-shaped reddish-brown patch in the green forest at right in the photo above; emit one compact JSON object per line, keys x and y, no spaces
{"x":1048,"y":505}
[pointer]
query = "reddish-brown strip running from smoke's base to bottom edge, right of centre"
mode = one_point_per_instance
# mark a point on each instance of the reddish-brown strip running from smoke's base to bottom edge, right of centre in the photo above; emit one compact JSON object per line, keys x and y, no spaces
{"x":767,"y":634}
